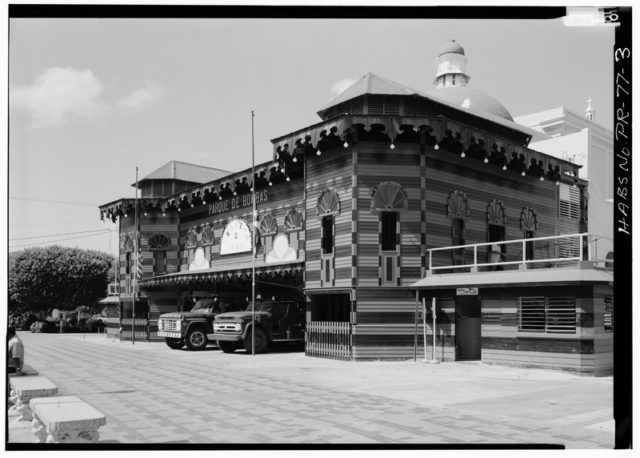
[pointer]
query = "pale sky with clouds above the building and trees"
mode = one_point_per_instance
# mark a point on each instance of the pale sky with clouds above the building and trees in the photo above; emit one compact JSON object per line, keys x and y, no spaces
{"x":92,"y":99}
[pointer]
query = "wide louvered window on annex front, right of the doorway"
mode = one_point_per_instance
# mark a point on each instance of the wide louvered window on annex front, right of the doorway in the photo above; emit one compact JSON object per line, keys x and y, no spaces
{"x":547,"y":314}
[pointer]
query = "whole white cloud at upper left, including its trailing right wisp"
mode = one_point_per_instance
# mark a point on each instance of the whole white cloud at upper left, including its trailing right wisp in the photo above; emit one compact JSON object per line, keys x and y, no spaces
{"x":59,"y":95}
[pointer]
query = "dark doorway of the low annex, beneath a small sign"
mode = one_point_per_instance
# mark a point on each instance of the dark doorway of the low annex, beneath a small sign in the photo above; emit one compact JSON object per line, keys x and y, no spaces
{"x":468,"y":329}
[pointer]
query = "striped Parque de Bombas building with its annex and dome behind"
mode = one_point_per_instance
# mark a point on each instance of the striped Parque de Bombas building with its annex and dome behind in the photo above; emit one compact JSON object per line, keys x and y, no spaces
{"x":395,"y":195}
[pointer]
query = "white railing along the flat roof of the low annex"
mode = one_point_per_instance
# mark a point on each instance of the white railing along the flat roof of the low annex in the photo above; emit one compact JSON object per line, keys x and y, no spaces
{"x":531,"y":253}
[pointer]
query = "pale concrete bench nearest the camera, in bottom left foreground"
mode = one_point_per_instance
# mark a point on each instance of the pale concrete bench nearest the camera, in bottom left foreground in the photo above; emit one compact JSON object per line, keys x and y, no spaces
{"x":65,"y":419}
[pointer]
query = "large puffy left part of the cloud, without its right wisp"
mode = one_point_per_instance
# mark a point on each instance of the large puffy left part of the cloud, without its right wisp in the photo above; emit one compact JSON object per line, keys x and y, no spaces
{"x":59,"y":94}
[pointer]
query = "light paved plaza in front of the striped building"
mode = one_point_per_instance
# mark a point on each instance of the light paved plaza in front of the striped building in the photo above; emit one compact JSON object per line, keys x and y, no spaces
{"x":151,"y":394}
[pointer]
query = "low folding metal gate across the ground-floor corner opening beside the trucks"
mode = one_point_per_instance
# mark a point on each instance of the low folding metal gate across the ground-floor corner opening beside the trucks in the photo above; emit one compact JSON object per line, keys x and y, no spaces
{"x":328,"y":339}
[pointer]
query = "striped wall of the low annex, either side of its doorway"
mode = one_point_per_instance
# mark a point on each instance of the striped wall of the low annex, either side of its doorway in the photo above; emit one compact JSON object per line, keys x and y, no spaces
{"x":587,"y":351}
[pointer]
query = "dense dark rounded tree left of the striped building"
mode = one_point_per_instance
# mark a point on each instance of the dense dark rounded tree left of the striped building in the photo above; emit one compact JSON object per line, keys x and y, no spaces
{"x":41,"y":279}
